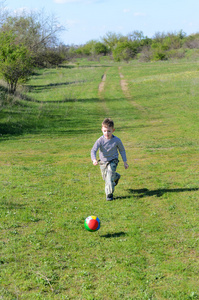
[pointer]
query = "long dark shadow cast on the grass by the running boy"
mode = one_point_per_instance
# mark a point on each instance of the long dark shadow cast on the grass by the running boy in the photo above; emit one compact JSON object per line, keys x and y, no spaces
{"x":140,"y":193}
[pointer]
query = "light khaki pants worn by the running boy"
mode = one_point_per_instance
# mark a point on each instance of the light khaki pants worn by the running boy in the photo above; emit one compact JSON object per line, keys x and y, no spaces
{"x":109,"y":175}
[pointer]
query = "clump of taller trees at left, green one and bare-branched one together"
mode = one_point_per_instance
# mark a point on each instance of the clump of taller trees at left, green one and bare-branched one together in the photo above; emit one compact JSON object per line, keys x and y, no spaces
{"x":27,"y":41}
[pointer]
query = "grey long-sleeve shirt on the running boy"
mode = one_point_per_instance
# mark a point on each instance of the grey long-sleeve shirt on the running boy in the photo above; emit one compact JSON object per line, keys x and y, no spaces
{"x":108,"y":149}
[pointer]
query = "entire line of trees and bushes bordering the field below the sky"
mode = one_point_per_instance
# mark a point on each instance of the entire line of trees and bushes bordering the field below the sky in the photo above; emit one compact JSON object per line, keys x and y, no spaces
{"x":31,"y":40}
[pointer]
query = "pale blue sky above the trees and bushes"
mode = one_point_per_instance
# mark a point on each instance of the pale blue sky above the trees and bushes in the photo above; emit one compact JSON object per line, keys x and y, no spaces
{"x":85,"y":20}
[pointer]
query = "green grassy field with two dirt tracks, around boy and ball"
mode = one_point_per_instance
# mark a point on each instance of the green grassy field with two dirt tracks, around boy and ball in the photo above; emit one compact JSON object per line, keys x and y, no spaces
{"x":147,"y":246}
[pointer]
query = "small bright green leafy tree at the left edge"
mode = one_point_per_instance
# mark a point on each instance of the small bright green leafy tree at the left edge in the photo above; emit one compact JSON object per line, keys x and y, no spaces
{"x":15,"y":61}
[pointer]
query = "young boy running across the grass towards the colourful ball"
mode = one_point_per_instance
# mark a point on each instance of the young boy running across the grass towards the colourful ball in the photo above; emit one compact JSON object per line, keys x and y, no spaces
{"x":108,"y":146}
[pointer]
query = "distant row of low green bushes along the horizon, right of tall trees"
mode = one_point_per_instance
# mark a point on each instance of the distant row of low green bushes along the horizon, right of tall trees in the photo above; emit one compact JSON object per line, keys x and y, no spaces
{"x":162,"y":46}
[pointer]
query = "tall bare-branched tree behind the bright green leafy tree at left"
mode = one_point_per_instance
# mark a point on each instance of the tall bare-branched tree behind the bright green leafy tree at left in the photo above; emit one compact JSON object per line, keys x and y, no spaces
{"x":36,"y":31}
